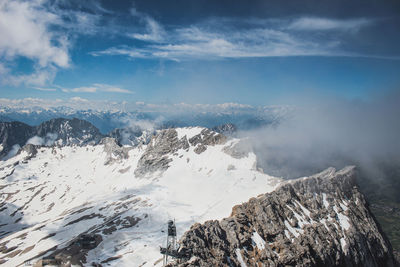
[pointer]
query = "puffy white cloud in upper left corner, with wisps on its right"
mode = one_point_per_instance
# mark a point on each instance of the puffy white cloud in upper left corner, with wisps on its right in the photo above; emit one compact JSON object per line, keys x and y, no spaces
{"x":42,"y":32}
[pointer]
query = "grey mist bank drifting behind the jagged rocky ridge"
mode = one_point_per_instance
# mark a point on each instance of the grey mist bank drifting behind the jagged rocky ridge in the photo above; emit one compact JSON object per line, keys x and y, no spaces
{"x":322,"y":133}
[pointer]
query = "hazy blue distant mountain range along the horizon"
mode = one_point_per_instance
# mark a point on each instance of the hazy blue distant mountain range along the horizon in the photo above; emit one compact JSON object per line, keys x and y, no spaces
{"x":107,"y":121}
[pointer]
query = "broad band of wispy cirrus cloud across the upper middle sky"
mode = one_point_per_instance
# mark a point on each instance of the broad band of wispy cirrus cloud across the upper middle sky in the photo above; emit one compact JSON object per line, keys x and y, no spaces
{"x":238,"y":38}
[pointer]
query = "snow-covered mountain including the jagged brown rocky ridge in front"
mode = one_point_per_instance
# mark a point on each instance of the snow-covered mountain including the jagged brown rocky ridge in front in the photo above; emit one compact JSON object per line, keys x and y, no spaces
{"x":100,"y":203}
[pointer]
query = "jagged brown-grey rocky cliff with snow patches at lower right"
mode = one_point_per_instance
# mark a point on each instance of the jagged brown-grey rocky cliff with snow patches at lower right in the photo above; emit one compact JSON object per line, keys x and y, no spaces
{"x":322,"y":220}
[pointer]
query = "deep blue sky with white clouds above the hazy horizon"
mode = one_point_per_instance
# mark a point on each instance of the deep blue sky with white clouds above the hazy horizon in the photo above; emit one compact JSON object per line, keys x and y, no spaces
{"x":263,"y":53}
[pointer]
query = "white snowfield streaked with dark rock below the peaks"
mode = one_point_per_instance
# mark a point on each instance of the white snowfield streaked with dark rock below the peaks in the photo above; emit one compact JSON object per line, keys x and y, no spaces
{"x":48,"y":200}
